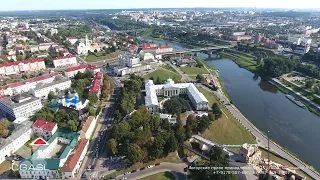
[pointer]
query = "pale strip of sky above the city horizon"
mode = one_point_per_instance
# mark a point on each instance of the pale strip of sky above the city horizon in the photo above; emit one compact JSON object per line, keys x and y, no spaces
{"x":10,"y":5}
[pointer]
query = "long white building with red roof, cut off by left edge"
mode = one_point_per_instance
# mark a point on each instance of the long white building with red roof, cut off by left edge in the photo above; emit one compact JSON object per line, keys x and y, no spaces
{"x":22,"y":66}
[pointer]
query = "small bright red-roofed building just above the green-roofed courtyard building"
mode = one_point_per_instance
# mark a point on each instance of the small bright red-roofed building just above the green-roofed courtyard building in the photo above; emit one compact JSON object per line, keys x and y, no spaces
{"x":44,"y":128}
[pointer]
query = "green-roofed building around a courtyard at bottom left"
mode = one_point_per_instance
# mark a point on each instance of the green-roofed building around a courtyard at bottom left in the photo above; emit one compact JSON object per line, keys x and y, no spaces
{"x":61,"y":146}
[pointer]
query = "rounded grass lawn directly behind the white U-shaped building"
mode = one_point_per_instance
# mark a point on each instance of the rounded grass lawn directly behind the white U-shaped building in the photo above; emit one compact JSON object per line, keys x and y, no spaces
{"x":163,"y":75}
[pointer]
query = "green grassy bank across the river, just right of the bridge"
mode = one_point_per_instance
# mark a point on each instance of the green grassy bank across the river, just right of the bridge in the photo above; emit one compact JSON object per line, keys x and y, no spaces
{"x":243,"y":61}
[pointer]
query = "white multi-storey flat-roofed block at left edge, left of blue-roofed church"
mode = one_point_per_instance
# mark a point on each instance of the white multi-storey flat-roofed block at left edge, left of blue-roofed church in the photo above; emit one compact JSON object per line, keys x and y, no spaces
{"x":20,"y":105}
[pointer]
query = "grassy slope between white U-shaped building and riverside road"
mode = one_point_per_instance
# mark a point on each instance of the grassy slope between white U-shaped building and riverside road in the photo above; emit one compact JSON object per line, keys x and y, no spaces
{"x":226,"y":130}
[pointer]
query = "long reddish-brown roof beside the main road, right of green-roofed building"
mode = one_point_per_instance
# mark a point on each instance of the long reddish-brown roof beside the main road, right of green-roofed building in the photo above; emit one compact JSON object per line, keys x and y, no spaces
{"x":75,"y":156}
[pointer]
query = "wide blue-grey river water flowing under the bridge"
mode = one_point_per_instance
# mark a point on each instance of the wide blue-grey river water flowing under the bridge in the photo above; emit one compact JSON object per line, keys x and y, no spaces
{"x":269,"y":110}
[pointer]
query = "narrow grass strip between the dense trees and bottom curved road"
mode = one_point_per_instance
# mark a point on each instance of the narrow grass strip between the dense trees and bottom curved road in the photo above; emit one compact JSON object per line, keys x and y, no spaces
{"x":172,"y":157}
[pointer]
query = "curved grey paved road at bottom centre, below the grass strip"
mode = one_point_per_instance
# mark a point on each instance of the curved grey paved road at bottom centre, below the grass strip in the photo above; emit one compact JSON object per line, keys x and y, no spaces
{"x":176,"y":169}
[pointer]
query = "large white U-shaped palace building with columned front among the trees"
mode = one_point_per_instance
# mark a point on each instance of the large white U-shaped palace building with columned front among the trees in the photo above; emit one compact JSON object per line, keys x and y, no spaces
{"x":170,"y":89}
